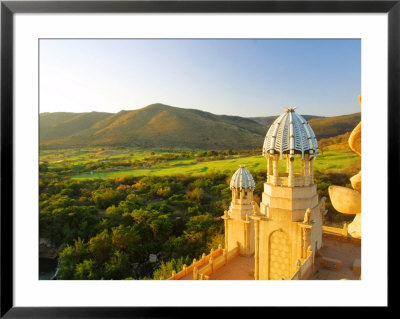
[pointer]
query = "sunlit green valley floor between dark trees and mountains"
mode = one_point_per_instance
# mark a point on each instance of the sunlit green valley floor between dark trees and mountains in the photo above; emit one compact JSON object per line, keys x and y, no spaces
{"x":114,"y":163}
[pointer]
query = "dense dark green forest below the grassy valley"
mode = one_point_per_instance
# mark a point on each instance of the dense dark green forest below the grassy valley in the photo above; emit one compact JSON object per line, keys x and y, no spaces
{"x":109,"y":227}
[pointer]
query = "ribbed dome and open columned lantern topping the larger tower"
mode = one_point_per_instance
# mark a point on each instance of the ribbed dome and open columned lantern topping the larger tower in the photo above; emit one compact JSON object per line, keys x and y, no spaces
{"x":290,"y":134}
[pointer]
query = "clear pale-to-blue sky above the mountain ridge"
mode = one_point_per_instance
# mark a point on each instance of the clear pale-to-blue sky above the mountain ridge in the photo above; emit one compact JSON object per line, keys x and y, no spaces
{"x":244,"y":77}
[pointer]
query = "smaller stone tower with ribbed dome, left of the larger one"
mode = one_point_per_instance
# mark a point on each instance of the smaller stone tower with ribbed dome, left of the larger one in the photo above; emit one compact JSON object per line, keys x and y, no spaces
{"x":238,"y":225}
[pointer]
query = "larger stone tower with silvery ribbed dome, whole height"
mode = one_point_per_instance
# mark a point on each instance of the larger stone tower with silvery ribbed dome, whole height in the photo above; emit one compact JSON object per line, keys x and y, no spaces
{"x":288,"y":223}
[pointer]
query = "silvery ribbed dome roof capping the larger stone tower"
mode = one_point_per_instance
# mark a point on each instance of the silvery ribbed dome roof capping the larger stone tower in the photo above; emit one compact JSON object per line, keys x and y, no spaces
{"x":290,"y":134}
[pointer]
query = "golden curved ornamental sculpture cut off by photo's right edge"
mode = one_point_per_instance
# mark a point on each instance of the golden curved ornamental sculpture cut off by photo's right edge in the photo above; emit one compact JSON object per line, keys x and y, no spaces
{"x":346,"y":200}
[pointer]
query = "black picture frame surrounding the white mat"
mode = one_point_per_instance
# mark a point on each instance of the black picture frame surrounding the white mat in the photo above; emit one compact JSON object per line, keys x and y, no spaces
{"x":9,"y":8}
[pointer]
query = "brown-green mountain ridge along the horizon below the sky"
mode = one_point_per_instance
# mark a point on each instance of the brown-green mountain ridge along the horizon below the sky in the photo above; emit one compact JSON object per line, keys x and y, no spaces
{"x":159,"y":125}
